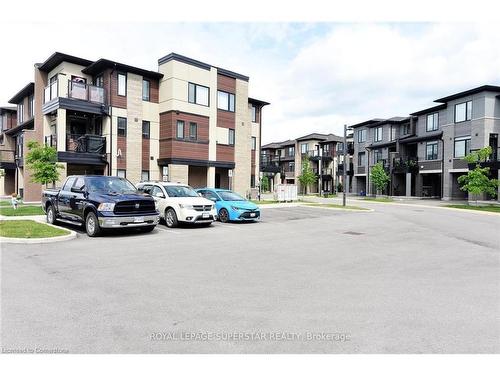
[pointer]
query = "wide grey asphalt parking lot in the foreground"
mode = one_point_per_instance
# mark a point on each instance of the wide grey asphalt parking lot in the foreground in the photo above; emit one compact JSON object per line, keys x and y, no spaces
{"x":400,"y":279}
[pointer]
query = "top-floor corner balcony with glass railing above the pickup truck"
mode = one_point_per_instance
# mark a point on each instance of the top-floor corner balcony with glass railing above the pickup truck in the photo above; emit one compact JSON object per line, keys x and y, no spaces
{"x":73,"y":95}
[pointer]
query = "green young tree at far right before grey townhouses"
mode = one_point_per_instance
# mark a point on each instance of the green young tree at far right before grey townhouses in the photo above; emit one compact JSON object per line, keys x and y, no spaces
{"x":477,"y":180}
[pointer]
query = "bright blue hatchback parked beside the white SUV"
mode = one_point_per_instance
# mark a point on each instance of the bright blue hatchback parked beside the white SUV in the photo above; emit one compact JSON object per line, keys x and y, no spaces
{"x":231,"y":206}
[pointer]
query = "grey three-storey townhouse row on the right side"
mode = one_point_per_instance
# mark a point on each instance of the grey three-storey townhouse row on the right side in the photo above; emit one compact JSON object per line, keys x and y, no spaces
{"x":423,"y":153}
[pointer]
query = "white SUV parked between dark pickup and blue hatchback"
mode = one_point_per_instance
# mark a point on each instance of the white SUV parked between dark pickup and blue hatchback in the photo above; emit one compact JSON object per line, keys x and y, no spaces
{"x":179,"y":203}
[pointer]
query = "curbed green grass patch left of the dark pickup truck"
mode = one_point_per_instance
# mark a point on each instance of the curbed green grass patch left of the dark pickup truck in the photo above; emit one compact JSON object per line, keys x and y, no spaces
{"x":28,"y":229}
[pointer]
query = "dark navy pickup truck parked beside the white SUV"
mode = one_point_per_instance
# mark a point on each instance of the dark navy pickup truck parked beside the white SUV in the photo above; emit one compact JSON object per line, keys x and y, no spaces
{"x":100,"y":202}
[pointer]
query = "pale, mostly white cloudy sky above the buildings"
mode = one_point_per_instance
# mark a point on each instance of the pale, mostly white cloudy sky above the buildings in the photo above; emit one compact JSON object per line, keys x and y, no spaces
{"x":317,"y":76}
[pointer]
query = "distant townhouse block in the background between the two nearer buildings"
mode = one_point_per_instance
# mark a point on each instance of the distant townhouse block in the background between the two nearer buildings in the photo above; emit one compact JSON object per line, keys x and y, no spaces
{"x":282,"y":161}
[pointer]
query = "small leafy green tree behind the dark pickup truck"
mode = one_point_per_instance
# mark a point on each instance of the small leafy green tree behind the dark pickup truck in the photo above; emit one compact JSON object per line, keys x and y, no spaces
{"x":42,"y":161}
